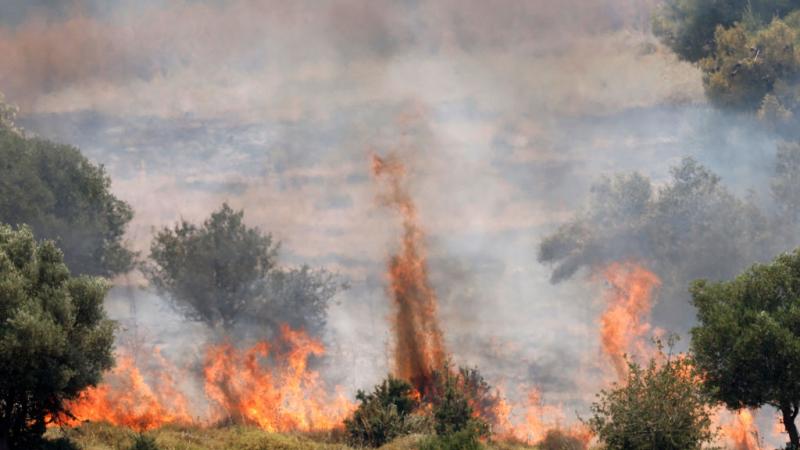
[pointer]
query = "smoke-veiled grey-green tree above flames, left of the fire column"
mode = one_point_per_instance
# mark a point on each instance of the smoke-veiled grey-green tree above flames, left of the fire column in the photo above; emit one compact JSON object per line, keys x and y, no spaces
{"x":223,"y":273}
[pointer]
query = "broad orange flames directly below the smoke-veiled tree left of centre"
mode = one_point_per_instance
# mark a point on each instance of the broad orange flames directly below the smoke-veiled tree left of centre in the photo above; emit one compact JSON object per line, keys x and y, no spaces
{"x":283,"y":396}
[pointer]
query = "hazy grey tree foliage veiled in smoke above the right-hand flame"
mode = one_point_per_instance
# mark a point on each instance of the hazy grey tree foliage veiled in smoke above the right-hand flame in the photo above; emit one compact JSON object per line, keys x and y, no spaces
{"x":684,"y":228}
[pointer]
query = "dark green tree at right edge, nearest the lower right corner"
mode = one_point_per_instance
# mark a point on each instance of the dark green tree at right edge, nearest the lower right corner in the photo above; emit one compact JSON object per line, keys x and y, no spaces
{"x":747,"y":343}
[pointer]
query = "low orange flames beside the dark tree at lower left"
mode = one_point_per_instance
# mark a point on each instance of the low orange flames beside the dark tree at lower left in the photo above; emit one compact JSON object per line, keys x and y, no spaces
{"x":128,"y":398}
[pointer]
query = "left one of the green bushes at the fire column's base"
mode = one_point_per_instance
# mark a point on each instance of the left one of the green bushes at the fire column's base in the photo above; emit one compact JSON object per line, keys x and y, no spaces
{"x":384,"y":414}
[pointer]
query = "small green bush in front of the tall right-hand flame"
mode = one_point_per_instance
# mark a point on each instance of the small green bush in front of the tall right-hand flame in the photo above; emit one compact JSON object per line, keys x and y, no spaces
{"x":660,"y":406}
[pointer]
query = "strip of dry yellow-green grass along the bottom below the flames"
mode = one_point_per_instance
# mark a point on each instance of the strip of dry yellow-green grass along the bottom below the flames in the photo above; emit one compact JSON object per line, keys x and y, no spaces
{"x":98,"y":436}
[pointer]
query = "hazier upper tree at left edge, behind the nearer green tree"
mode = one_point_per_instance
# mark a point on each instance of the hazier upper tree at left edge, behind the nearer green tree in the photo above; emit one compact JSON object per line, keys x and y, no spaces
{"x":62,"y":196}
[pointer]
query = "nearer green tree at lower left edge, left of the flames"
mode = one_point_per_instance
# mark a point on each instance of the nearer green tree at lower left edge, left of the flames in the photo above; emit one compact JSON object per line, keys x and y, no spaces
{"x":55,"y":339}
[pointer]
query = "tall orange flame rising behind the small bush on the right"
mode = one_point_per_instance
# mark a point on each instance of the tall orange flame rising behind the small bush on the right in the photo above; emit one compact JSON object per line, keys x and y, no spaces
{"x":623,"y":324}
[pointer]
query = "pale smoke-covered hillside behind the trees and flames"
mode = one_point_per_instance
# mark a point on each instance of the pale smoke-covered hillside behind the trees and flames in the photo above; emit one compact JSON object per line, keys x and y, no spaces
{"x":504,"y":111}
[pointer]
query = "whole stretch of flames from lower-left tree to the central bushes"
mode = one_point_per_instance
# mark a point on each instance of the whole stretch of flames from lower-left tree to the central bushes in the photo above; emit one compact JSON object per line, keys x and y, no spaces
{"x":269,"y":385}
